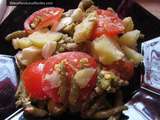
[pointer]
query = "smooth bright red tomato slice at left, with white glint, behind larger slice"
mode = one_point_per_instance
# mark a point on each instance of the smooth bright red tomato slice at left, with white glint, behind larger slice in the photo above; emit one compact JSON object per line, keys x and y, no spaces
{"x":32,"y":77}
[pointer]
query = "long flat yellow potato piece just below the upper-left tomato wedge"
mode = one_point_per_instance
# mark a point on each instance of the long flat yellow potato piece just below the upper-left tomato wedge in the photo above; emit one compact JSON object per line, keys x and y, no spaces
{"x":39,"y":39}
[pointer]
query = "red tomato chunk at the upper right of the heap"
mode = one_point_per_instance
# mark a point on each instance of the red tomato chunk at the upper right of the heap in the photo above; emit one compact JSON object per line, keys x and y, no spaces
{"x":108,"y":23}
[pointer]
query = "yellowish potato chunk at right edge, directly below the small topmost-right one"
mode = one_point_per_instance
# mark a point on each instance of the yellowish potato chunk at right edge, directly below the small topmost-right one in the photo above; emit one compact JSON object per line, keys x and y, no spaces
{"x":130,"y":38}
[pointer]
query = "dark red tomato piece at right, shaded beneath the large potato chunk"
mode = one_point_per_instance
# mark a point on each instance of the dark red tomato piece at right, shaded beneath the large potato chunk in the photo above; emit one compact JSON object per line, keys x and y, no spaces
{"x":124,"y":68}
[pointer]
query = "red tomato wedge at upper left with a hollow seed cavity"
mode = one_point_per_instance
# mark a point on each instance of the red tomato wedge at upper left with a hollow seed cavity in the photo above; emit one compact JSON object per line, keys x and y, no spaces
{"x":48,"y":17}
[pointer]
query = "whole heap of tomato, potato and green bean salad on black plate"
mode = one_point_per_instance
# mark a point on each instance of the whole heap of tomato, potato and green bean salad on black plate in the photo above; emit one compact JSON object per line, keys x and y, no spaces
{"x":75,"y":61}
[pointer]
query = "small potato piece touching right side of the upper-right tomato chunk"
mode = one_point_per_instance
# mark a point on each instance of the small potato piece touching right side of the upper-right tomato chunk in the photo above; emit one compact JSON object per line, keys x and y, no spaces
{"x":128,"y":24}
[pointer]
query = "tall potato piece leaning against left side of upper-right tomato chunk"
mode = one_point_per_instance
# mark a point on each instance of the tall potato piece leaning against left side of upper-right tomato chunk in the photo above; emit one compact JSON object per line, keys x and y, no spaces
{"x":83,"y":31}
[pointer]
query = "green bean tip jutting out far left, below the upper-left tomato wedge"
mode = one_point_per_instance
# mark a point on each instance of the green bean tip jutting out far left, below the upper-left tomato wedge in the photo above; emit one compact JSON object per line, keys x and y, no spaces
{"x":16,"y":34}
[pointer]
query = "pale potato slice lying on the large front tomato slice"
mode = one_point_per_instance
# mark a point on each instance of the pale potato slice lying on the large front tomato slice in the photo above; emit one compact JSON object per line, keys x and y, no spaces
{"x":82,"y":77}
